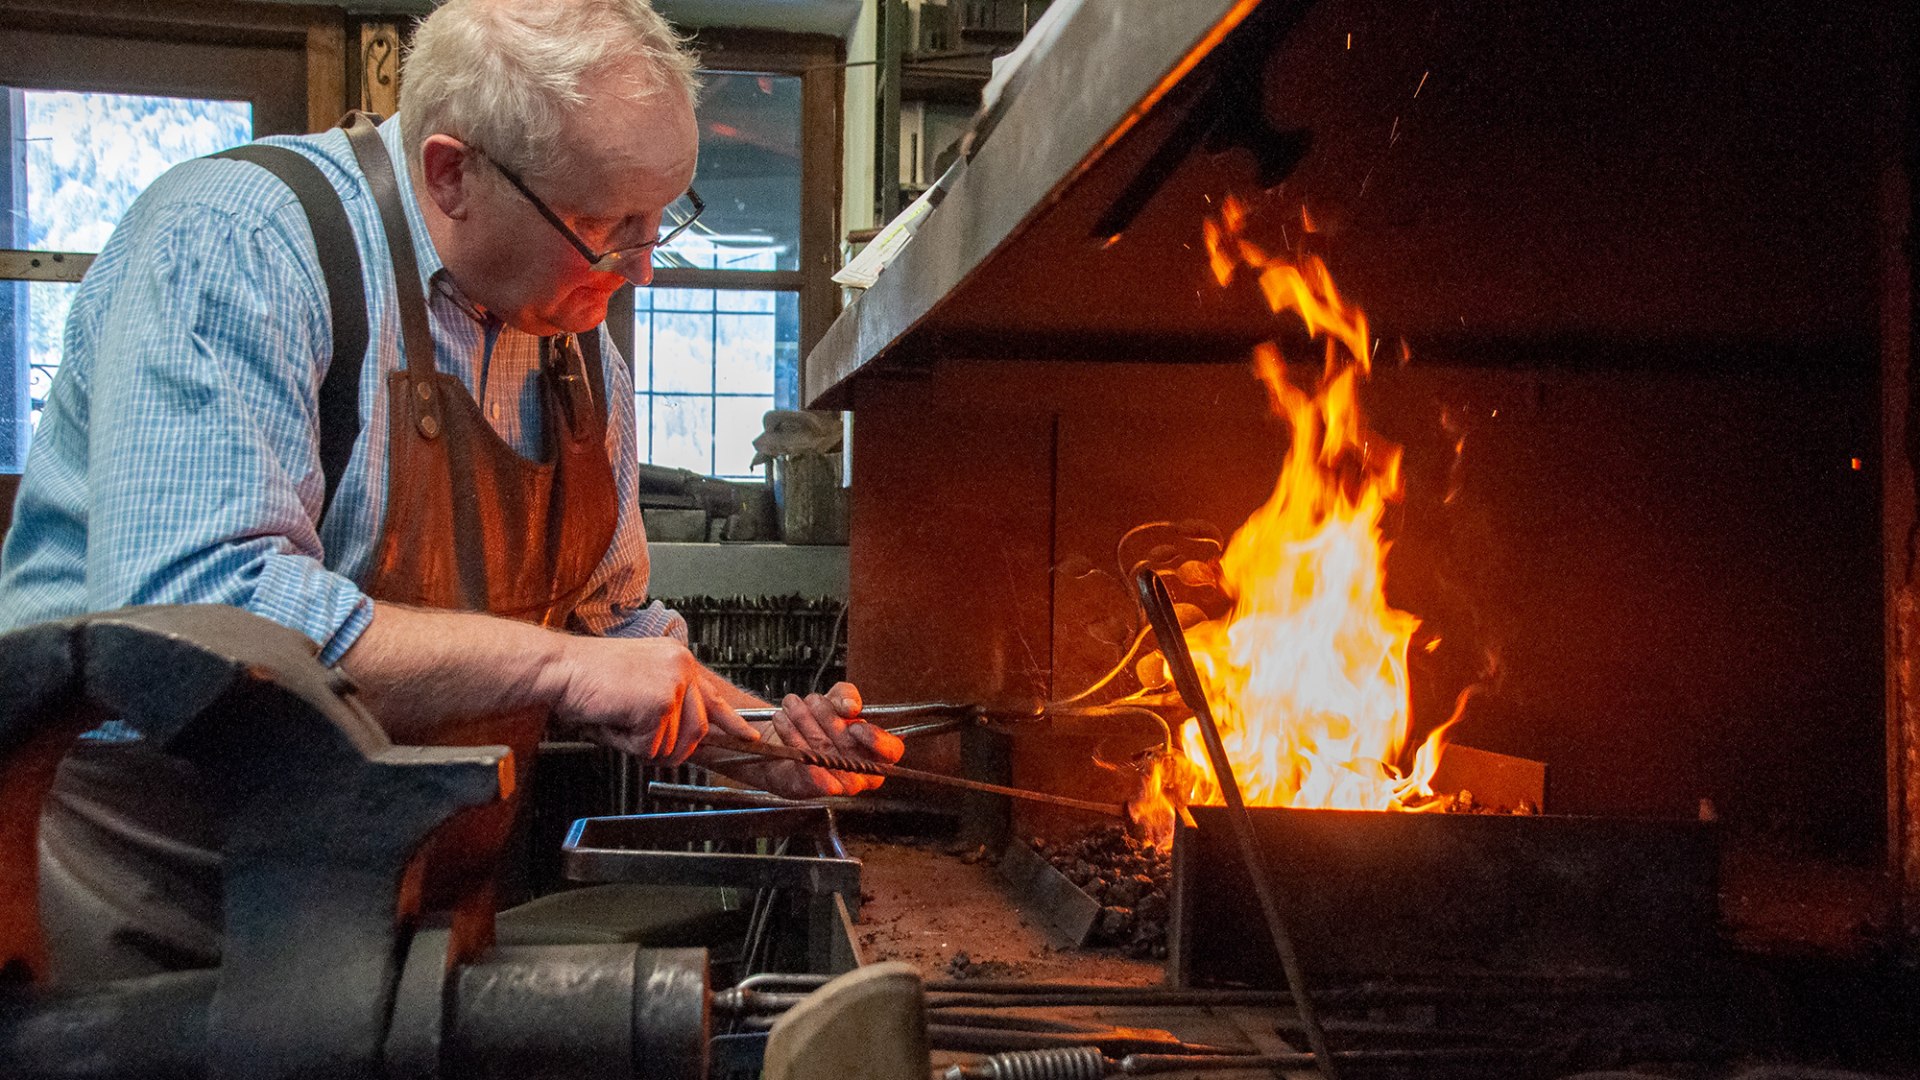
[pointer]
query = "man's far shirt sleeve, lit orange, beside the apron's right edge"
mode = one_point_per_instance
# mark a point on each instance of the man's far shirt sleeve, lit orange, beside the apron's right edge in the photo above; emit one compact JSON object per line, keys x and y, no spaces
{"x":617,"y":597}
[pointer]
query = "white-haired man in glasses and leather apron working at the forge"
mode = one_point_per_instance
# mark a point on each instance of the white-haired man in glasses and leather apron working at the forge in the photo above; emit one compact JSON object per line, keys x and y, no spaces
{"x":448,"y":512}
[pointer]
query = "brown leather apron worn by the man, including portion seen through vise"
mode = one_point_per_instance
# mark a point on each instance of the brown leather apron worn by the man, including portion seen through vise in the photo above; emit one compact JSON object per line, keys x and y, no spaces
{"x":130,"y":877}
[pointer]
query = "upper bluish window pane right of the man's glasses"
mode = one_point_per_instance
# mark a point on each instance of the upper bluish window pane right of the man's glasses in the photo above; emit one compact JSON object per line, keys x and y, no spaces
{"x":750,"y":176}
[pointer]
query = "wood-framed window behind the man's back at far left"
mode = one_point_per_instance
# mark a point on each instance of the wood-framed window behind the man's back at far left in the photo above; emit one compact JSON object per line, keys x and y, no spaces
{"x":91,"y":110}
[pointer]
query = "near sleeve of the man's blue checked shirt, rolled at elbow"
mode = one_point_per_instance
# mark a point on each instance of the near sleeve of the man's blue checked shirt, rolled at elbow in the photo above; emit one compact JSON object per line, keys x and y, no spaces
{"x":203,"y":397}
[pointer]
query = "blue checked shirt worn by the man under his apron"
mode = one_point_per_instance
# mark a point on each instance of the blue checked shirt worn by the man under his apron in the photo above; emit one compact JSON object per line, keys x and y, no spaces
{"x":178,"y":460}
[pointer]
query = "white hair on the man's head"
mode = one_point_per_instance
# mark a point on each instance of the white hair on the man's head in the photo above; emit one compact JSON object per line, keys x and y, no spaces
{"x":506,"y":74}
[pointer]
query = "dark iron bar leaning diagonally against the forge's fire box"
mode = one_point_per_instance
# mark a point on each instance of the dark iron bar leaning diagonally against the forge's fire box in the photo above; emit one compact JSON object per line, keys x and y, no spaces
{"x":1159,"y":606}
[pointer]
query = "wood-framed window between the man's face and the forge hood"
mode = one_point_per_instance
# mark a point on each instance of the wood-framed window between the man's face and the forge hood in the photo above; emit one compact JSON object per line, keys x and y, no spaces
{"x":719,"y":339}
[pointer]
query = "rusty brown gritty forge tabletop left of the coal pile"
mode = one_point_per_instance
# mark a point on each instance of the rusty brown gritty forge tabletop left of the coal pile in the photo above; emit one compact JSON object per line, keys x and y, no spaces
{"x":949,"y":914}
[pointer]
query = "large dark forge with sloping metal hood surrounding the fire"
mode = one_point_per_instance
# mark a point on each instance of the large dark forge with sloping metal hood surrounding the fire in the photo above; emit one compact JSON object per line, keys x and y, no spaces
{"x":1637,"y":295}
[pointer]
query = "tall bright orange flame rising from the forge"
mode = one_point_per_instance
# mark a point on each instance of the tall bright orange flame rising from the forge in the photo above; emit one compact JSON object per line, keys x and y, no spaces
{"x":1308,"y":674}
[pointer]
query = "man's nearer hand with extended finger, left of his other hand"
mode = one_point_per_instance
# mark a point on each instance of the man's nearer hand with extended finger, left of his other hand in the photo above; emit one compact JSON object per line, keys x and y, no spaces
{"x":644,"y":697}
